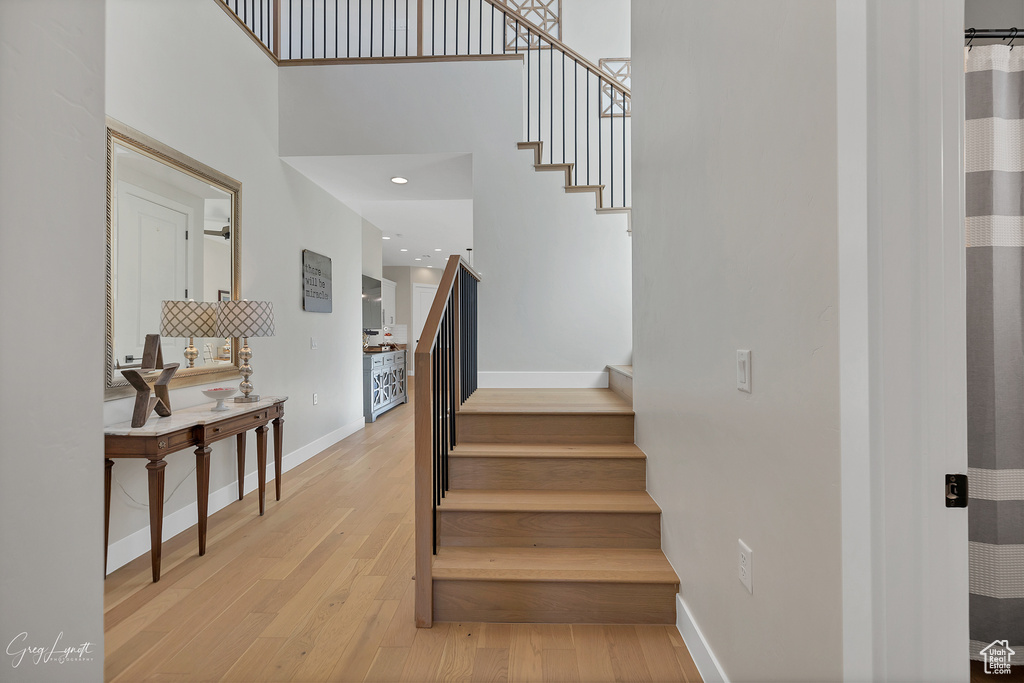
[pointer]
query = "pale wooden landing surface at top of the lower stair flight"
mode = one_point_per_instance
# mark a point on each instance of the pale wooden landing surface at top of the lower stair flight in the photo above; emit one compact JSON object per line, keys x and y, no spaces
{"x":550,"y":402}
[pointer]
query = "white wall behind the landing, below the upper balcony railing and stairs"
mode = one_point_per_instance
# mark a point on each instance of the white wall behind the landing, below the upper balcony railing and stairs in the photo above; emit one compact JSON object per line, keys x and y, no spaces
{"x":537,"y":248}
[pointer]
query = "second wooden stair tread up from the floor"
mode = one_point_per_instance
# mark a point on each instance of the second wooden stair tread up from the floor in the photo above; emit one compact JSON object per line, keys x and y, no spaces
{"x":549,"y":501}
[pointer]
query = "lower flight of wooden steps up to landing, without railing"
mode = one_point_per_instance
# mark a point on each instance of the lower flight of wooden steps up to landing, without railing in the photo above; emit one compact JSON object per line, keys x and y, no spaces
{"x":547,"y":519}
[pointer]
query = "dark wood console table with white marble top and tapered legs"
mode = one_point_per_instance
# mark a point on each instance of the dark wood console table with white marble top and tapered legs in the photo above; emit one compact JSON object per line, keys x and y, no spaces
{"x":193,"y":428}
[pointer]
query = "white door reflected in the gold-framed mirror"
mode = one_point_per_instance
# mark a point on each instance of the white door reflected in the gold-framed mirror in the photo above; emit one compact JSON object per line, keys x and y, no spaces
{"x":153,"y":266}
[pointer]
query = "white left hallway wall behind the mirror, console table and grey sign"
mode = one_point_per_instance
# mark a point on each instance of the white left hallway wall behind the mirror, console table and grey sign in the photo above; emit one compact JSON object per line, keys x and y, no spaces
{"x":282,"y":215}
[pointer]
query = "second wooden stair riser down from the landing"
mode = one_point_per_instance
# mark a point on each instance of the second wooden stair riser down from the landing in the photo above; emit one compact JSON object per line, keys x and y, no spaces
{"x":548,"y":474}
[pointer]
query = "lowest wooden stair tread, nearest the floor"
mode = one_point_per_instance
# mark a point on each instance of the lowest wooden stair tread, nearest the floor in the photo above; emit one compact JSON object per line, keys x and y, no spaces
{"x":630,"y":566}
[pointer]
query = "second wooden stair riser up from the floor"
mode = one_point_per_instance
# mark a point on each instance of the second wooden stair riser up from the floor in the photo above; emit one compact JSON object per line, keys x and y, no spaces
{"x":550,"y":530}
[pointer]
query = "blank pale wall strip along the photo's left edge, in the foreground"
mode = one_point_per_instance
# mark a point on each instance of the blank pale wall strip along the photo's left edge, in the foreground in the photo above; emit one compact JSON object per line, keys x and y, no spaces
{"x":52,"y":369}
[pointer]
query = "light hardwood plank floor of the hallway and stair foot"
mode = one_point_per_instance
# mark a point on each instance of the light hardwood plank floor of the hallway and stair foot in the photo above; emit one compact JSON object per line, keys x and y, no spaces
{"x":321,"y":589}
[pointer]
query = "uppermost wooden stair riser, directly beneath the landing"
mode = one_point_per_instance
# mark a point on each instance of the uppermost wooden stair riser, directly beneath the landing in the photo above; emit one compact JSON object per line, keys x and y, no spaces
{"x":499,"y":429}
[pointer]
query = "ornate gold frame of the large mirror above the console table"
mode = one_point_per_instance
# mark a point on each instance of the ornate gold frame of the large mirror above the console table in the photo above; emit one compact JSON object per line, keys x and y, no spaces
{"x":119,"y":134}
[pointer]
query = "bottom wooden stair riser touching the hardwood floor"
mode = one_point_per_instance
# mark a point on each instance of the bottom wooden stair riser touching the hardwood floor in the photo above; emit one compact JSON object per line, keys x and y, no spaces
{"x":554,"y":603}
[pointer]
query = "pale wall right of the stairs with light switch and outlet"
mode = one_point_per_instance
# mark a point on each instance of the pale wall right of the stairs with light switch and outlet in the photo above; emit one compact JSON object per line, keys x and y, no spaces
{"x":735,"y":225}
